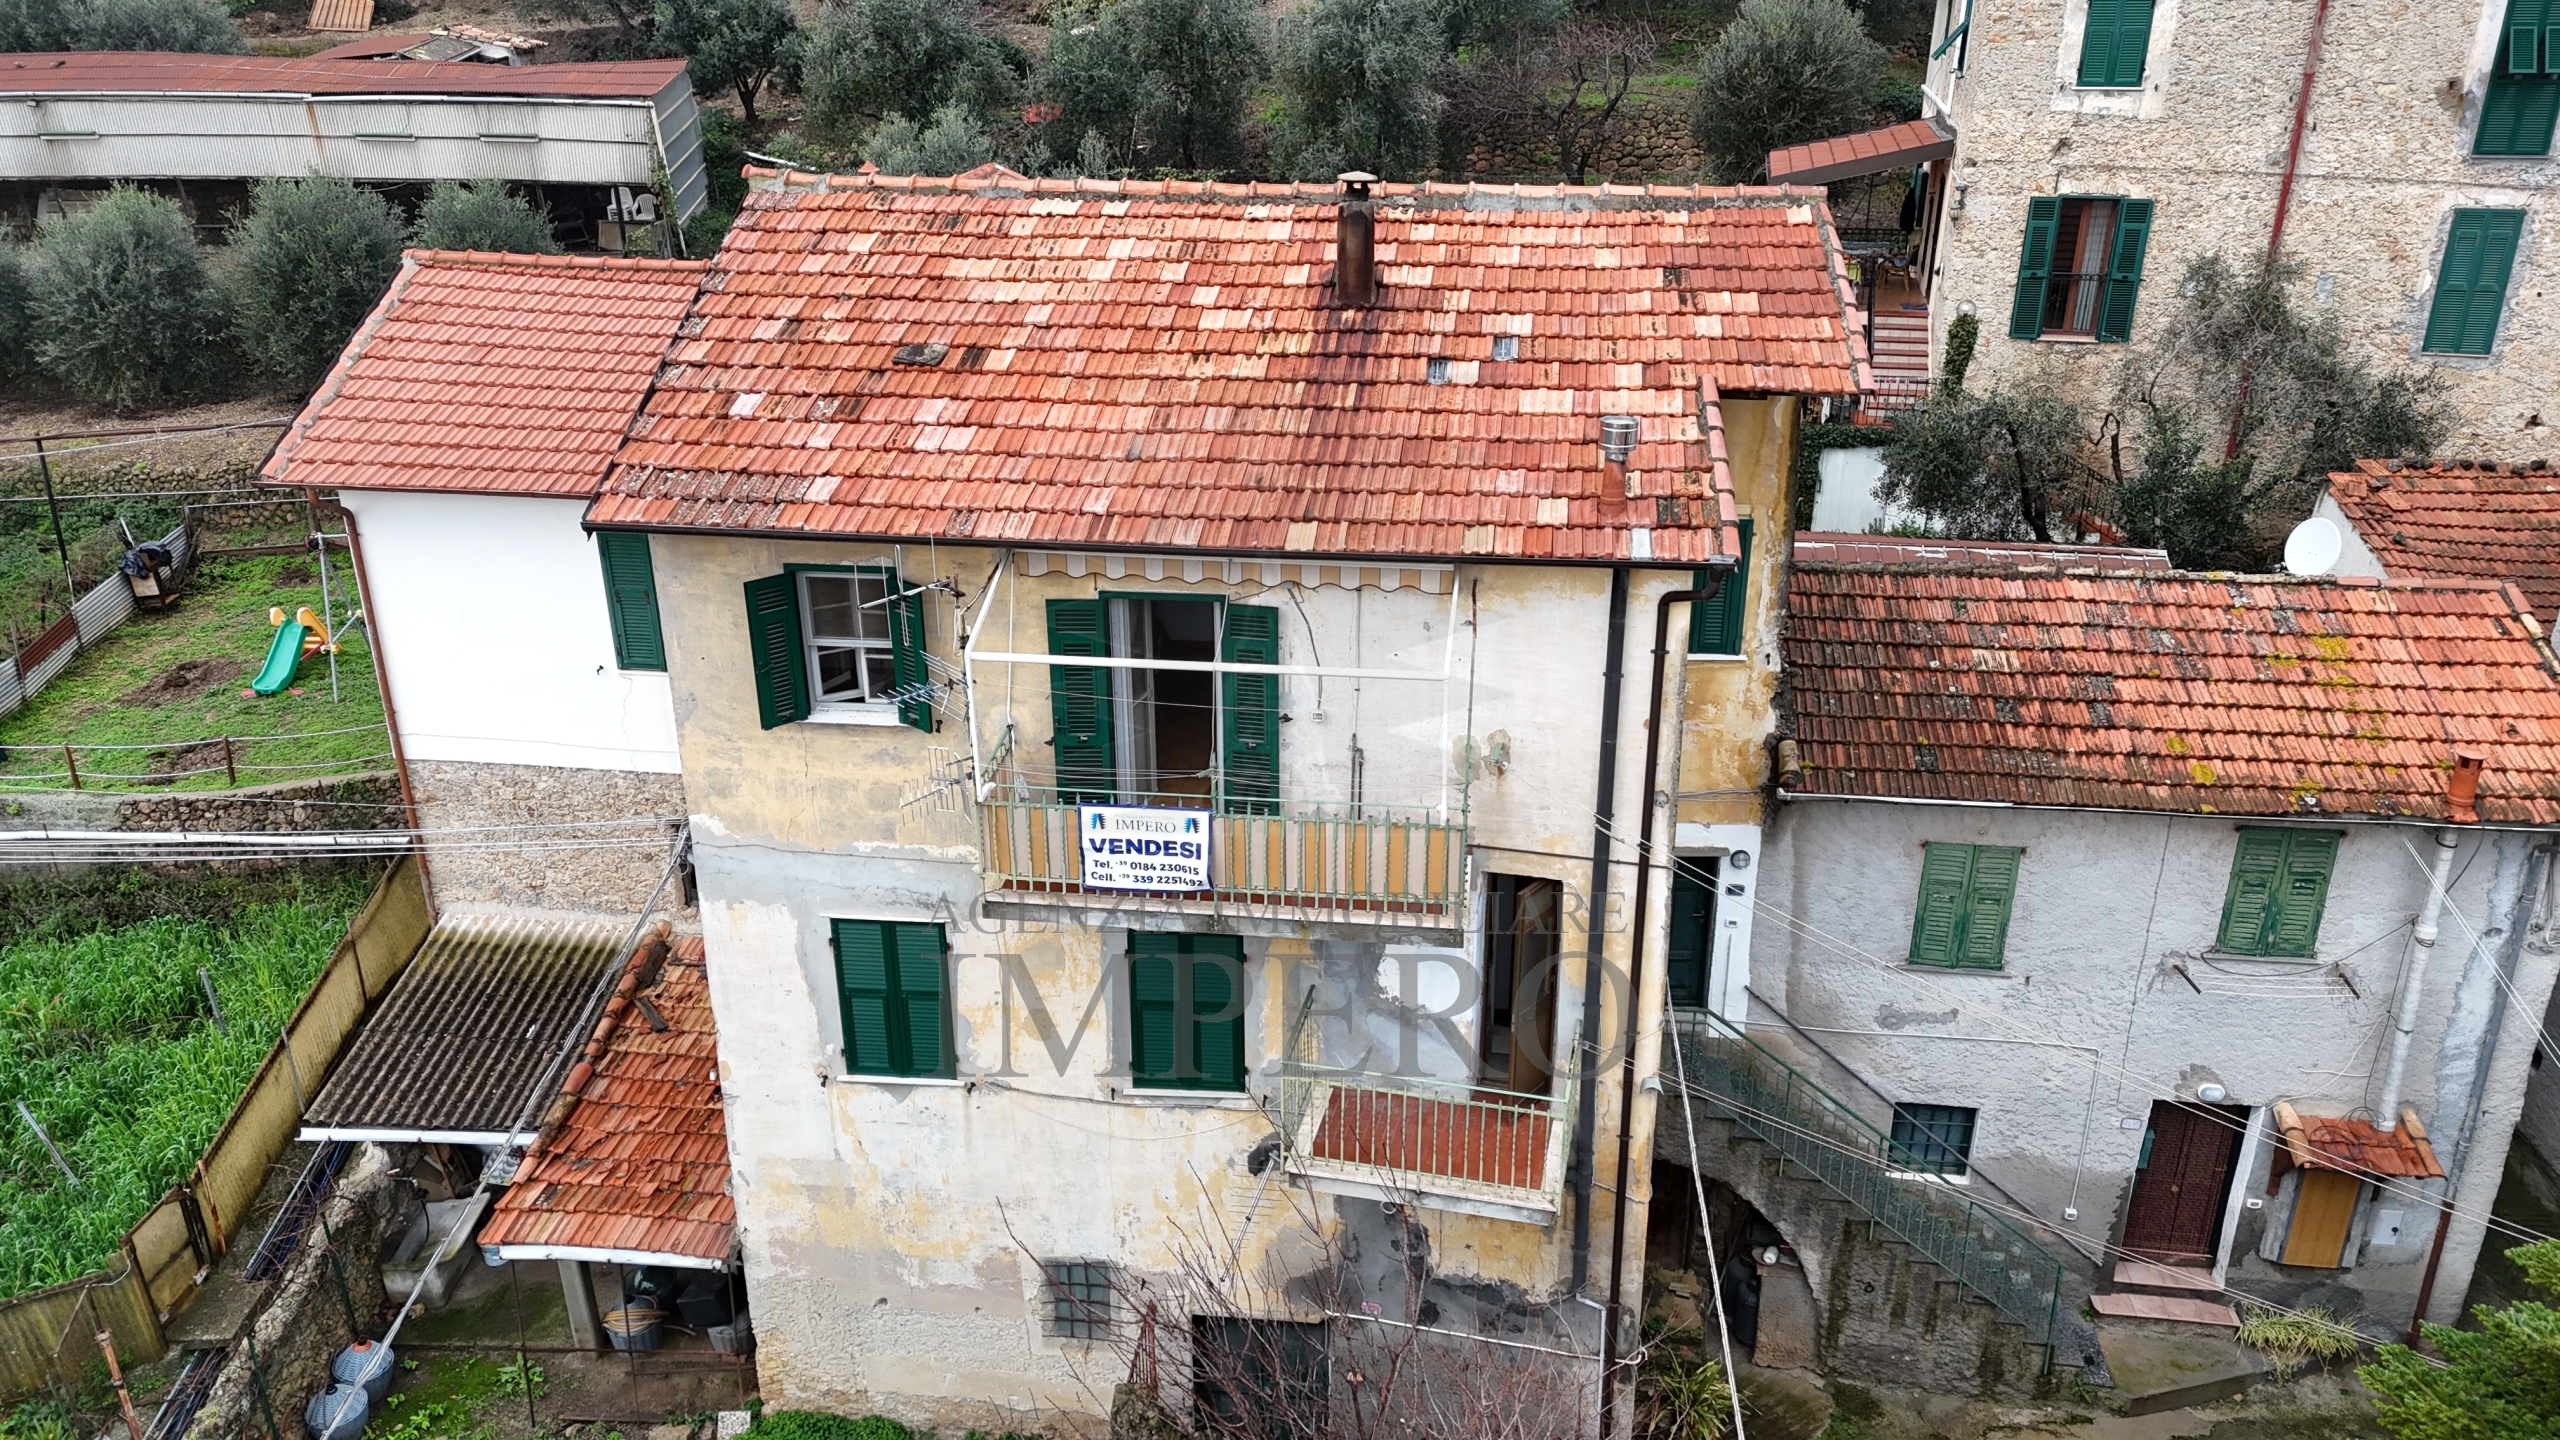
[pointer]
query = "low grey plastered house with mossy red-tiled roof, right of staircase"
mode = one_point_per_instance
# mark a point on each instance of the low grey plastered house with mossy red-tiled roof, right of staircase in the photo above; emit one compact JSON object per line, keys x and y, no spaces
{"x":2106,"y":896}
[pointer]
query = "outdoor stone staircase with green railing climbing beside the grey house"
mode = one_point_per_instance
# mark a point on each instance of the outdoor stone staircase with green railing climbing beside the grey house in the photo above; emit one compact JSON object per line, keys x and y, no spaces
{"x":1914,"y":1288}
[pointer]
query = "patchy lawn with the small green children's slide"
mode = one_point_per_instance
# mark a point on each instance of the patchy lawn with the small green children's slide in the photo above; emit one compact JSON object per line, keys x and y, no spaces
{"x":170,"y":685}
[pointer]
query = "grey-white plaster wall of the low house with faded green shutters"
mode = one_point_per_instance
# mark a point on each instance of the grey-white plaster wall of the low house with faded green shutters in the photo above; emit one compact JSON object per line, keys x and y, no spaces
{"x":2090,"y":1021}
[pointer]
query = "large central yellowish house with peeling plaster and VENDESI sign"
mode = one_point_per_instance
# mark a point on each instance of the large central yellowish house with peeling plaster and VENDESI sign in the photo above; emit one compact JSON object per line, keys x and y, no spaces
{"x":1143,"y":678}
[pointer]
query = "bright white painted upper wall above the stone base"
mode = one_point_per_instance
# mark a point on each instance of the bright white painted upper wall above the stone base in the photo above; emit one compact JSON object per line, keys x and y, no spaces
{"x":490,"y":614}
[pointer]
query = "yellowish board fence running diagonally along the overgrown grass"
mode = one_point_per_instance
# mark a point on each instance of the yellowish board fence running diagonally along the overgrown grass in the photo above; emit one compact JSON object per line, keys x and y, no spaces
{"x":50,"y":1336}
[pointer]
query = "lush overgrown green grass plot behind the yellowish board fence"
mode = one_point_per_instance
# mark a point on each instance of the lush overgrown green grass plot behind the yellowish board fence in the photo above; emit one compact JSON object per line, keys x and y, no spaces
{"x":111,"y":1044}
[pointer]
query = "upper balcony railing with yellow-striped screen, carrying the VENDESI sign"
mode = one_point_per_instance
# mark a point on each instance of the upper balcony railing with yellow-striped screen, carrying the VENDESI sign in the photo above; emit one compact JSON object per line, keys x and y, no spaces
{"x":1358,"y":862}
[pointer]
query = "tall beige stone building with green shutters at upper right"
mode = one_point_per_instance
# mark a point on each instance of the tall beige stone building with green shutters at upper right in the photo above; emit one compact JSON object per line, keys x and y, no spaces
{"x":2103,"y":145}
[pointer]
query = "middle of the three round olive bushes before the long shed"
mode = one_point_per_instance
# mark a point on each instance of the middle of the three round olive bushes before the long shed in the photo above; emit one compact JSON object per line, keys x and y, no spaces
{"x":314,"y":258}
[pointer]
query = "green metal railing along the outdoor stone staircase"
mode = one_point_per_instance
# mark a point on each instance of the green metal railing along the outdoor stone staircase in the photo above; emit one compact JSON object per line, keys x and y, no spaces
{"x":1734,"y":1077}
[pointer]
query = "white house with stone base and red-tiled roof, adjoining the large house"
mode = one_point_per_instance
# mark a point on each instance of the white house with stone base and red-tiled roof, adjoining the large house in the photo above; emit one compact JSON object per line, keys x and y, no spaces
{"x":465,"y":432}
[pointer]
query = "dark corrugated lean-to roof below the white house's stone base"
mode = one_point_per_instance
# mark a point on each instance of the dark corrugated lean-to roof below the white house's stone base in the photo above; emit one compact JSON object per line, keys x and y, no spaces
{"x":467,"y":1031}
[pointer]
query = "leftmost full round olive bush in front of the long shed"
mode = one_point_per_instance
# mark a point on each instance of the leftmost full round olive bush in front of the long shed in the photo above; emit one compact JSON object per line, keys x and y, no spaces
{"x":119,"y":299}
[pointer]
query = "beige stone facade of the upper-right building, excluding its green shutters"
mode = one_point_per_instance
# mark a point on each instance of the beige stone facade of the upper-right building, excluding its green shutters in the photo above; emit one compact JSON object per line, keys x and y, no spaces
{"x":2385,"y":165}
